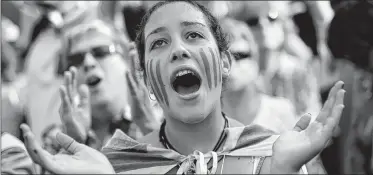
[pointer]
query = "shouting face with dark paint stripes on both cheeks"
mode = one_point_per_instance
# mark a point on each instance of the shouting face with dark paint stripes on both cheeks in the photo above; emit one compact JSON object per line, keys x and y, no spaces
{"x":182,"y":62}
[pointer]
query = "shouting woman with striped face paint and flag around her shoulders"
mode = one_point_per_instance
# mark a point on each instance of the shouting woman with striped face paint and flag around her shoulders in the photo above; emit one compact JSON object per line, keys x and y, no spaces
{"x":181,"y":40}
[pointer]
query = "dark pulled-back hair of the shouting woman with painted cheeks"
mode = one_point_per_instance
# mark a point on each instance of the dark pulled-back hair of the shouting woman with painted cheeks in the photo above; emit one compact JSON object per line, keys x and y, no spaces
{"x":213,"y":24}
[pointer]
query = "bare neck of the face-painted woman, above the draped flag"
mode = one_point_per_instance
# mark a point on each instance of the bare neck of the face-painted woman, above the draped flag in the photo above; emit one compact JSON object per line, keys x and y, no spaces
{"x":203,"y":136}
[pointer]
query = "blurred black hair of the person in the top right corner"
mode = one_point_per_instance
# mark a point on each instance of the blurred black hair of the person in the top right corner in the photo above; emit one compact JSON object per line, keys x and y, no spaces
{"x":350,"y":33}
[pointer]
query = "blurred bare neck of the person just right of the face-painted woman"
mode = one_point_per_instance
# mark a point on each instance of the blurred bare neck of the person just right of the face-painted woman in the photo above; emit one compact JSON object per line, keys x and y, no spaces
{"x":242,"y":104}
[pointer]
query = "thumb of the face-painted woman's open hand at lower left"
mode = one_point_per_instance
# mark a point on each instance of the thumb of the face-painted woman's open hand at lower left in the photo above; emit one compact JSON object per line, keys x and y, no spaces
{"x":68,"y":143}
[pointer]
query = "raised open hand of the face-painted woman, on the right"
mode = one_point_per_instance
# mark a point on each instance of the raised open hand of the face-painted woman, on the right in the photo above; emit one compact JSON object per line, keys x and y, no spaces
{"x":298,"y":146}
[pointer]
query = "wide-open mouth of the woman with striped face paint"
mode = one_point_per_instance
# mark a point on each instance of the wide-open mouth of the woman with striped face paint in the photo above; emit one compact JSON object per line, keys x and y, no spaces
{"x":185,"y":81}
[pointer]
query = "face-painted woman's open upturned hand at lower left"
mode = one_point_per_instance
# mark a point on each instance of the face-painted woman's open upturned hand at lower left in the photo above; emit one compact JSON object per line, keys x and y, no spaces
{"x":79,"y":158}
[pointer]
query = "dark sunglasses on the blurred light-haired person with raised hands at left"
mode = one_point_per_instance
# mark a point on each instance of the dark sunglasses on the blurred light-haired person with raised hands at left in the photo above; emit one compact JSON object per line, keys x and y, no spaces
{"x":99,"y":53}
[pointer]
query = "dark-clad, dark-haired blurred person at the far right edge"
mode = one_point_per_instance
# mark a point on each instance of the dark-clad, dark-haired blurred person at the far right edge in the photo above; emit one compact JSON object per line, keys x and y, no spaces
{"x":351,"y":42}
